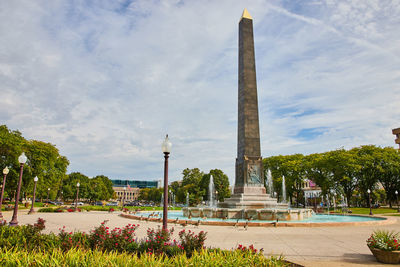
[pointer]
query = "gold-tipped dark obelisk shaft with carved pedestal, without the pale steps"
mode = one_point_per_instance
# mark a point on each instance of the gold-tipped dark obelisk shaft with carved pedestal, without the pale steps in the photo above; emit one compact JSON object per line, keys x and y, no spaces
{"x":249,"y":162}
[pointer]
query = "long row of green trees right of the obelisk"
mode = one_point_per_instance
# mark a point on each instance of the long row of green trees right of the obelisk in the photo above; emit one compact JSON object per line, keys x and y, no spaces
{"x":343,"y":172}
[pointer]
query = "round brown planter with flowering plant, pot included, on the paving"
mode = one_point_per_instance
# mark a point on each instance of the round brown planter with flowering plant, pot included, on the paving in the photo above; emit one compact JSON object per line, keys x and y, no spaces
{"x":385,"y":245}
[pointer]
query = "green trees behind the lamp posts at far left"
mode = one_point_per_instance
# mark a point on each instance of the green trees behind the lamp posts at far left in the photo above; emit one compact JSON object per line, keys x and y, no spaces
{"x":45,"y":162}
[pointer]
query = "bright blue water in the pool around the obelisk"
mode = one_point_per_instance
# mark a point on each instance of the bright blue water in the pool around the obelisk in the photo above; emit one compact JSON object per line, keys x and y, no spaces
{"x":316,"y":218}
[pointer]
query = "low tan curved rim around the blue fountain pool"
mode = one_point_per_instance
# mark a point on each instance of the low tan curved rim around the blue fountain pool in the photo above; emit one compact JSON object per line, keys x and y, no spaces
{"x":370,"y":220}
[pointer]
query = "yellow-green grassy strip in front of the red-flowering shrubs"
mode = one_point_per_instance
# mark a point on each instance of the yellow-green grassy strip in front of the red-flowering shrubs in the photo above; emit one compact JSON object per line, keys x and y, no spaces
{"x":79,"y":257}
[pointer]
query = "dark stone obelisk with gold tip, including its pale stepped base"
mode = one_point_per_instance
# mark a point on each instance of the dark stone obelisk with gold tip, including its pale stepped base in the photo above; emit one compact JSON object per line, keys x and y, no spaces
{"x":249,"y":191}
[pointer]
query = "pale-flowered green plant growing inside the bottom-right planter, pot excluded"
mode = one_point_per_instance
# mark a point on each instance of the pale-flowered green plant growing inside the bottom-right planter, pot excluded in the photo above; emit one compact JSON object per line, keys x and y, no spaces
{"x":384,"y":240}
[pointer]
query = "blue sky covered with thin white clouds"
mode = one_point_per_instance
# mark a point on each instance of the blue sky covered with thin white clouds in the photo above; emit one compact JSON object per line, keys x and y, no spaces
{"x":105,"y":81}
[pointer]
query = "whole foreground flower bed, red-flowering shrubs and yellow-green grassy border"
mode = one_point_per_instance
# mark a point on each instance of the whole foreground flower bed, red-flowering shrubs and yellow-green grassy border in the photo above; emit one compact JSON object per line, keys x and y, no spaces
{"x":27,"y":245}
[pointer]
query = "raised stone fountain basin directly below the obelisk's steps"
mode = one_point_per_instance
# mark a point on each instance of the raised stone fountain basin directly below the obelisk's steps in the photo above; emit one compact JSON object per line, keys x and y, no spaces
{"x":265,"y":214}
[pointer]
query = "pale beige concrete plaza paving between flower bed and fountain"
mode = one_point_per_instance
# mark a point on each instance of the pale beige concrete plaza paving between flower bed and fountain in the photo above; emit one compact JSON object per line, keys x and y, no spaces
{"x":308,"y":246}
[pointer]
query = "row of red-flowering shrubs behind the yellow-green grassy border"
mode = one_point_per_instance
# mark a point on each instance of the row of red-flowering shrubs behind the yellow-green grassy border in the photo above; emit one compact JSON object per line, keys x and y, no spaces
{"x":158,"y":242}
